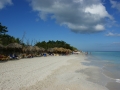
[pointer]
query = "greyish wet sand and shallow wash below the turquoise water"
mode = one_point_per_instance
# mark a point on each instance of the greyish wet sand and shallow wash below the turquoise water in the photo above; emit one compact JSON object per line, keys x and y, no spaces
{"x":102,"y":75}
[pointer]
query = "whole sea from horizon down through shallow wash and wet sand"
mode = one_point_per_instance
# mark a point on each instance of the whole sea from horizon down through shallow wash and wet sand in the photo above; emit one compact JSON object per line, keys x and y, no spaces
{"x":107,"y":71}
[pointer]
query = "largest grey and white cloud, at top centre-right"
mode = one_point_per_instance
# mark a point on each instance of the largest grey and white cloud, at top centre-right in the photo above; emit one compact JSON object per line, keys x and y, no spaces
{"x":82,"y":16}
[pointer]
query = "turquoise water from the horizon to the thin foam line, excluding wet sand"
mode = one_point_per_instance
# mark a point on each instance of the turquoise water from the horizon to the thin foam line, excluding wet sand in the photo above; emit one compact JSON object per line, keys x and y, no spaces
{"x":109,"y":62}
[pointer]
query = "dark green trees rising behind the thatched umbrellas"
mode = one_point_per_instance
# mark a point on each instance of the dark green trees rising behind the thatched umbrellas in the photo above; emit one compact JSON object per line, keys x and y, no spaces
{"x":6,"y":39}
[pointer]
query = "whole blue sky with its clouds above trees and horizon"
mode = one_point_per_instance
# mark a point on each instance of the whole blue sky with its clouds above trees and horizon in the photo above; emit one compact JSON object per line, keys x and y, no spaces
{"x":89,"y":25}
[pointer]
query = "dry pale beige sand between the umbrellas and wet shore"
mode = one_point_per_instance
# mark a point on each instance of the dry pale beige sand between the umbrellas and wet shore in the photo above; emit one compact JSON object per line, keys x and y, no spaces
{"x":46,"y":73}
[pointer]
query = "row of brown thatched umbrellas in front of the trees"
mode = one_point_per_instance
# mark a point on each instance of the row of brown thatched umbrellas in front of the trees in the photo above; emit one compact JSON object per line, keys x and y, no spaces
{"x":16,"y":46}
